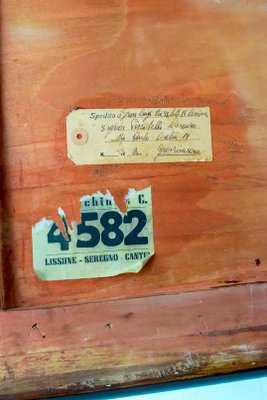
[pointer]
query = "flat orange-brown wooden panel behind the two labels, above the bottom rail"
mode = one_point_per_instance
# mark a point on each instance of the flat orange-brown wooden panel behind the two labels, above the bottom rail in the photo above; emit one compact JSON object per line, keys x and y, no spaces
{"x":209,"y":218}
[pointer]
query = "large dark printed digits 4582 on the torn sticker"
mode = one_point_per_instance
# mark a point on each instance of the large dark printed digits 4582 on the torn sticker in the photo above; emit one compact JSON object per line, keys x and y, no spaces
{"x":110,"y":236}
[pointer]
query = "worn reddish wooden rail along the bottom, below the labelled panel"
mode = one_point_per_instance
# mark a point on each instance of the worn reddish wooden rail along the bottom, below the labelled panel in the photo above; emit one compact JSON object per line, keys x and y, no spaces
{"x":132,"y":341}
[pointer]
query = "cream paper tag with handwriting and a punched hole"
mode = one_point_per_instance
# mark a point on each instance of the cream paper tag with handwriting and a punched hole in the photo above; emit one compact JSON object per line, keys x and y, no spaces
{"x":139,"y":135}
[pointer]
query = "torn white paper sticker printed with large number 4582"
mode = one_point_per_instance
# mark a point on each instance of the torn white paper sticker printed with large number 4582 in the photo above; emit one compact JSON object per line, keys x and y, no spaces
{"x":106,"y":242}
